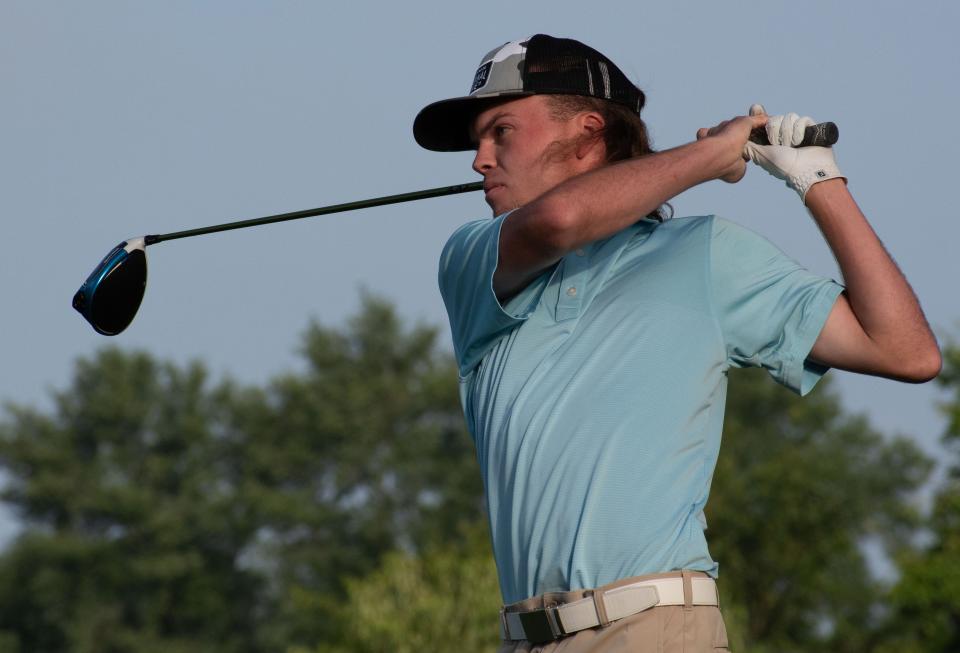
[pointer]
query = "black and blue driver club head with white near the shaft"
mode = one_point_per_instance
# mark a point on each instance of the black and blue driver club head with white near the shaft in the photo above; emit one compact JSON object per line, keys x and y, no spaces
{"x":111,"y":295}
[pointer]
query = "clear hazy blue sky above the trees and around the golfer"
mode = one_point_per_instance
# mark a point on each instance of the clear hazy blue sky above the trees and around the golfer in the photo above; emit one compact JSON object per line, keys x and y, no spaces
{"x":120,"y":119}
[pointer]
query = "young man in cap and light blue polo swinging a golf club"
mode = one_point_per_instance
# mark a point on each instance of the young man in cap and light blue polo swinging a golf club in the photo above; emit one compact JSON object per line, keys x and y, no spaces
{"x":593,"y":337}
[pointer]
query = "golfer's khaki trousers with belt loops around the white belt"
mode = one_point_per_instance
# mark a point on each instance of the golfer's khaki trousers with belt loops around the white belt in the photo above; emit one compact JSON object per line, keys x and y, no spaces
{"x":664,"y":629}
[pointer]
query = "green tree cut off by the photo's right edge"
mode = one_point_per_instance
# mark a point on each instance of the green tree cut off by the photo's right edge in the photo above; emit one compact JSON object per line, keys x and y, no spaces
{"x":926,"y":601}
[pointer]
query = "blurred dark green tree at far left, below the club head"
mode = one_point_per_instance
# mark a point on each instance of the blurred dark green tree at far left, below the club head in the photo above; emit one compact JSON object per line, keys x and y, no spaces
{"x":134,"y":533}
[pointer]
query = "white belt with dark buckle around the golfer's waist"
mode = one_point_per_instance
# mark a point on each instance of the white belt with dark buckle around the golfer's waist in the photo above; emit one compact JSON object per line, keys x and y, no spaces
{"x":553,"y":622}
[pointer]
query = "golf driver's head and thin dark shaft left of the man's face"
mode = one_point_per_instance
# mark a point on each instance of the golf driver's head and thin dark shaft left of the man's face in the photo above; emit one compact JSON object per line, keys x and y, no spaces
{"x":111,"y":295}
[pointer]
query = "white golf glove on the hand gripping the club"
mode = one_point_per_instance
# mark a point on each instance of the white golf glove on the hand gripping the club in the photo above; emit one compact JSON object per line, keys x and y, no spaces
{"x":800,"y":167}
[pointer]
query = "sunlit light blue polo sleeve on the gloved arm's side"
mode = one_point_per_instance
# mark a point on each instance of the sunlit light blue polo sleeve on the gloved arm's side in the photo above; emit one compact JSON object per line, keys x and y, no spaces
{"x":769,"y":307}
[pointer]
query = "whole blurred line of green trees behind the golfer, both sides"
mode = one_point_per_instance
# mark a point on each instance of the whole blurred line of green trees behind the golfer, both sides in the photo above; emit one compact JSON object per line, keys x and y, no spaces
{"x":339,"y":508}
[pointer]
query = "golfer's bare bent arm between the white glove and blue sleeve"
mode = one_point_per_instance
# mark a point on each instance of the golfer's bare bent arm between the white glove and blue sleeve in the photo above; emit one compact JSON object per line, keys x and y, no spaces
{"x":895,"y":334}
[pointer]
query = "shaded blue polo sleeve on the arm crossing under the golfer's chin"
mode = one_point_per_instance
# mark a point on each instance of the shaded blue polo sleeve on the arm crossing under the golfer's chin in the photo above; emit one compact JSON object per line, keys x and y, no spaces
{"x":477,"y":319}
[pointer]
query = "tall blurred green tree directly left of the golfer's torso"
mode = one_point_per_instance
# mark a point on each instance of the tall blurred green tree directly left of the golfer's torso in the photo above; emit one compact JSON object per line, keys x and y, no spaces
{"x":363,"y":453}
